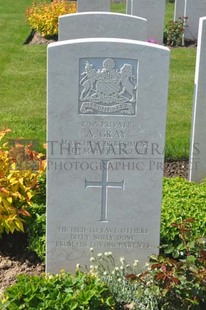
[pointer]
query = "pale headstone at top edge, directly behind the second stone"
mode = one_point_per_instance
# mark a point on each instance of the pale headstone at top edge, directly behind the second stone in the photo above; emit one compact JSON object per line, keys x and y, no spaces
{"x":93,"y":5}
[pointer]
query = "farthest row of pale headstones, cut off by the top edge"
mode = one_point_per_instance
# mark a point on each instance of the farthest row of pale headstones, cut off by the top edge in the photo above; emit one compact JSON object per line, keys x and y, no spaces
{"x":154,"y":12}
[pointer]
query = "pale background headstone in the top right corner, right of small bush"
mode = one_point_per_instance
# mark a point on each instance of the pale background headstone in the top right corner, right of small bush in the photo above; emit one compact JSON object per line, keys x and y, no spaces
{"x":194,"y":9}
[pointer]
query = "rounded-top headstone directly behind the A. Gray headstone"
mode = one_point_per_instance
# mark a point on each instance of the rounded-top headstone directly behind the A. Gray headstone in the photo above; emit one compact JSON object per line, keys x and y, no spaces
{"x":99,"y":24}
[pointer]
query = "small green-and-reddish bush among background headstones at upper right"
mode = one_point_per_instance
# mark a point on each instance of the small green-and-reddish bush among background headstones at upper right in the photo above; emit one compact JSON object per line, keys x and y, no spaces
{"x":173,"y":32}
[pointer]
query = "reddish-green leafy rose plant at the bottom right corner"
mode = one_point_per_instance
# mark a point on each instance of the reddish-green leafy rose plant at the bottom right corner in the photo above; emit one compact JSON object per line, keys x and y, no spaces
{"x":181,"y":283}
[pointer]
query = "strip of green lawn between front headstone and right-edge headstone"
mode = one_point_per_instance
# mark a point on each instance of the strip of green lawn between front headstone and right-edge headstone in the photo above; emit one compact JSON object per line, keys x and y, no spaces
{"x":181,"y":87}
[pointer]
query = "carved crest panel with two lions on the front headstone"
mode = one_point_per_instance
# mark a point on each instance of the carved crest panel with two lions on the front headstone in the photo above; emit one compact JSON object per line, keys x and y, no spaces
{"x":108,"y":86}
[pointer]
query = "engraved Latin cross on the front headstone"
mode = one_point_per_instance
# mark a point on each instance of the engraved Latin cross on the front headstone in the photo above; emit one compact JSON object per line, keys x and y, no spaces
{"x":104,"y":184}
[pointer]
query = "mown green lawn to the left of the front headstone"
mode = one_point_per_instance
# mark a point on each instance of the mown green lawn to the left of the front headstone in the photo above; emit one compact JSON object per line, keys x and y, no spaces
{"x":22,"y":75}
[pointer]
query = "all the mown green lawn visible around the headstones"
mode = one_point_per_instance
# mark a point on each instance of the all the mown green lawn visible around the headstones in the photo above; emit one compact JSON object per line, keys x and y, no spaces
{"x":23,"y":81}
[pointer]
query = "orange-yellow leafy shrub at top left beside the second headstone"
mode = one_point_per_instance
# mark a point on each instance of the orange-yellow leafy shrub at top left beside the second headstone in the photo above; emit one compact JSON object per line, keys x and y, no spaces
{"x":43,"y":17}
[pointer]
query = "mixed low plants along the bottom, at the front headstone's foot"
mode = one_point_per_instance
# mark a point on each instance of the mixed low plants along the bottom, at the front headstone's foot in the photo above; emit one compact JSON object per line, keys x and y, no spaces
{"x":164,"y":283}
